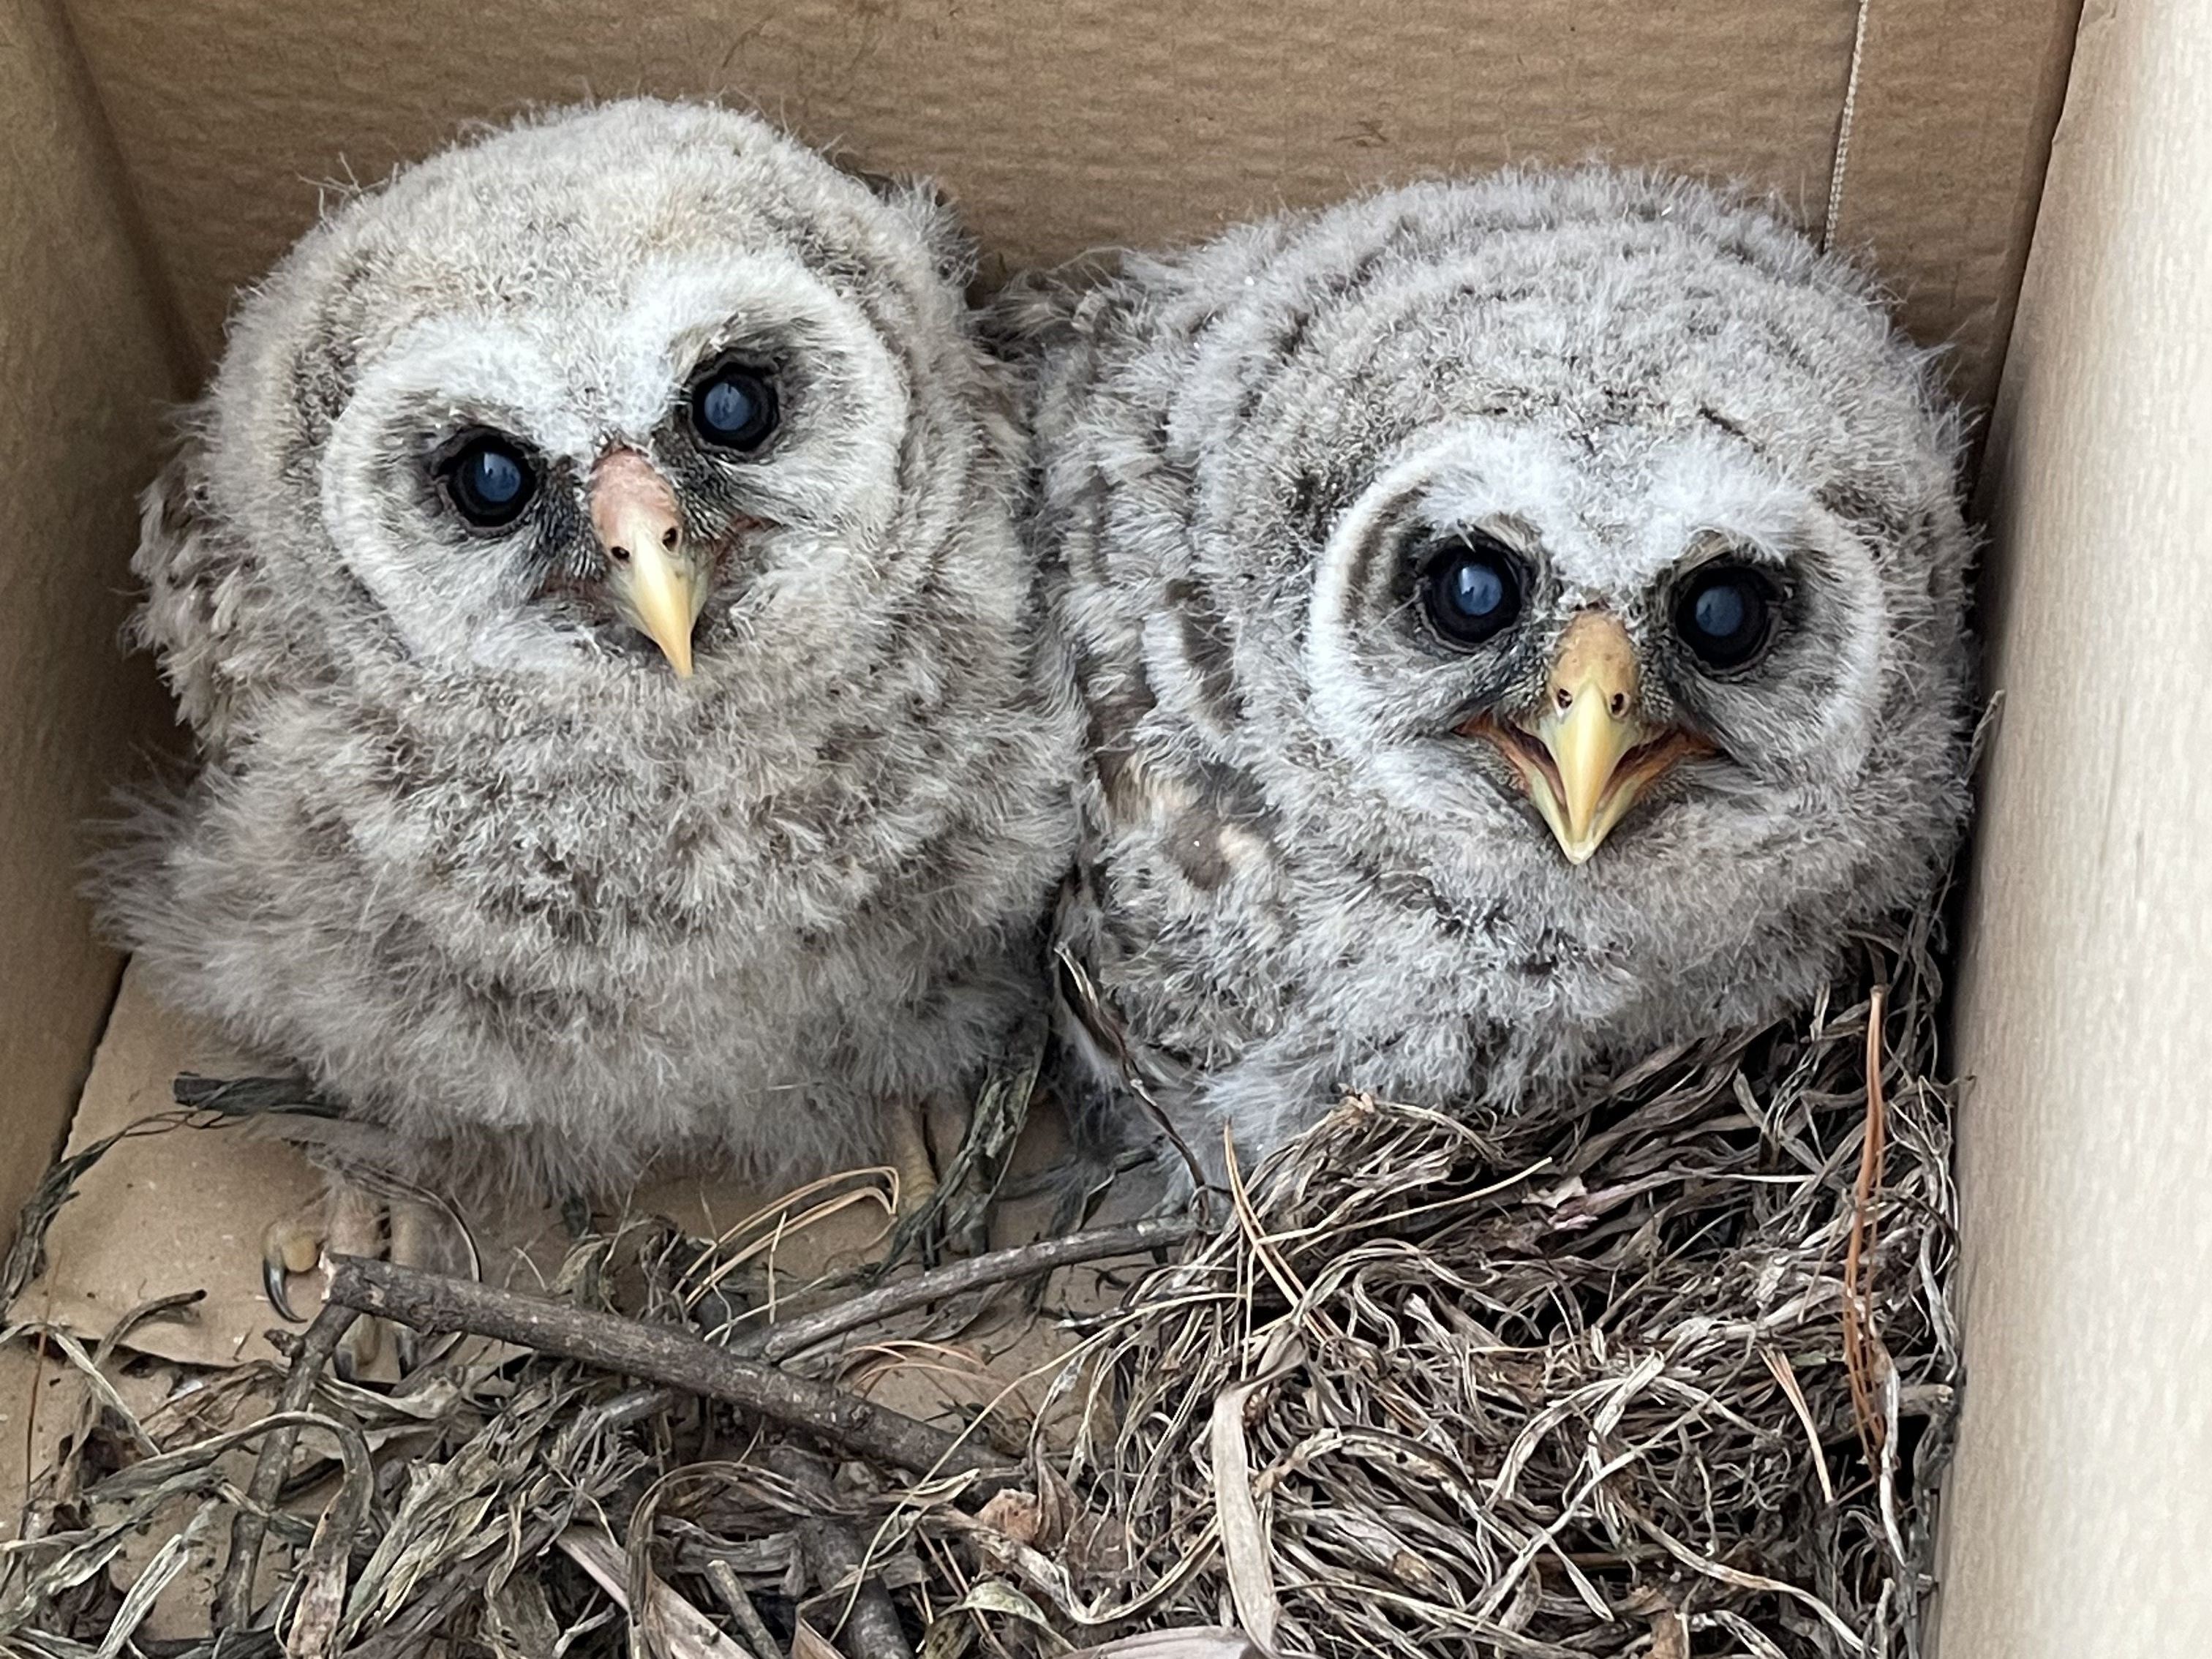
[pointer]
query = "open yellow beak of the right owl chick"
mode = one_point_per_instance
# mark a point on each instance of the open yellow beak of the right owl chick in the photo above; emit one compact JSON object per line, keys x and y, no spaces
{"x":1589,"y":755}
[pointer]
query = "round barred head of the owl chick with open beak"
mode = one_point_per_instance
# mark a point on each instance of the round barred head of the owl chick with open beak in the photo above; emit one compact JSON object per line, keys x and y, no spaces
{"x":1583,"y":543}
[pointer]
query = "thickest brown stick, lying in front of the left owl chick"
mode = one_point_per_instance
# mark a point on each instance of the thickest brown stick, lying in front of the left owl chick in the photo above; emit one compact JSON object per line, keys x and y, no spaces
{"x":658,"y":1355}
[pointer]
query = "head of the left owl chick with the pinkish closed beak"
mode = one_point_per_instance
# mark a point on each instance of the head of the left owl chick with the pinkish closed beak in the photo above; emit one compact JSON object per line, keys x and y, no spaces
{"x":612,"y":395}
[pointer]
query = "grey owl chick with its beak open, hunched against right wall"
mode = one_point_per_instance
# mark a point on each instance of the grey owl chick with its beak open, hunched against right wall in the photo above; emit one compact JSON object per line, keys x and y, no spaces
{"x":1521,"y":625}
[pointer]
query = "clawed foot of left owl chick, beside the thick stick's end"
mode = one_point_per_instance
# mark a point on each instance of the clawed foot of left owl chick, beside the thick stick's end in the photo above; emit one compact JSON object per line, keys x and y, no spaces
{"x":353,"y":1220}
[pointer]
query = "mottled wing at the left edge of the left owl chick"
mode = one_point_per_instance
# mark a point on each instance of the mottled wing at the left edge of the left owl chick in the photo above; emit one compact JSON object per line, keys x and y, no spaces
{"x":200,"y":585}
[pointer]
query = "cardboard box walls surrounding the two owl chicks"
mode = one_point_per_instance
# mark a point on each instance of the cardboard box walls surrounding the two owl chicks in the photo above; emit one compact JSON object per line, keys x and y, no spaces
{"x":156,"y":156}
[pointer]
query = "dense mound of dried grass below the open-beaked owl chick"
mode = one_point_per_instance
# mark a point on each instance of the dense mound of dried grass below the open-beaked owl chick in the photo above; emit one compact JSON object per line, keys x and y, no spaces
{"x":1574,"y":1384}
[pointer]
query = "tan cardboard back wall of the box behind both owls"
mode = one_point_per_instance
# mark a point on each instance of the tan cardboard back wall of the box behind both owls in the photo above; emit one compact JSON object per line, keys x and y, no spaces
{"x":1098,"y":123}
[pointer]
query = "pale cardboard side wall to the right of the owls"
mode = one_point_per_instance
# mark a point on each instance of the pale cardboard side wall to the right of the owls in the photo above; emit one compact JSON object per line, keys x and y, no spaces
{"x":2080,"y":1514}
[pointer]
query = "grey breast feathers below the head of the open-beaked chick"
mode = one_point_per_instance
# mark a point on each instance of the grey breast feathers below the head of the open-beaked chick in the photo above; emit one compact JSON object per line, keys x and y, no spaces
{"x":1222,"y":926}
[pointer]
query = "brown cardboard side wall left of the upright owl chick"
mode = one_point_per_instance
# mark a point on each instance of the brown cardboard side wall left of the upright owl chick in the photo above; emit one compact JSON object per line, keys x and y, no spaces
{"x":85,"y":366}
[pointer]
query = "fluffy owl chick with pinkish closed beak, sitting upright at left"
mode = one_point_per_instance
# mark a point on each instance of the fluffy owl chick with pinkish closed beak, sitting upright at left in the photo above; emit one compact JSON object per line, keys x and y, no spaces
{"x":596,"y":592}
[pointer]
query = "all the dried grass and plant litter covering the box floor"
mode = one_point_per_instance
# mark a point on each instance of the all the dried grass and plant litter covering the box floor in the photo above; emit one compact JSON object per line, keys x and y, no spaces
{"x":1662,"y":1373}
